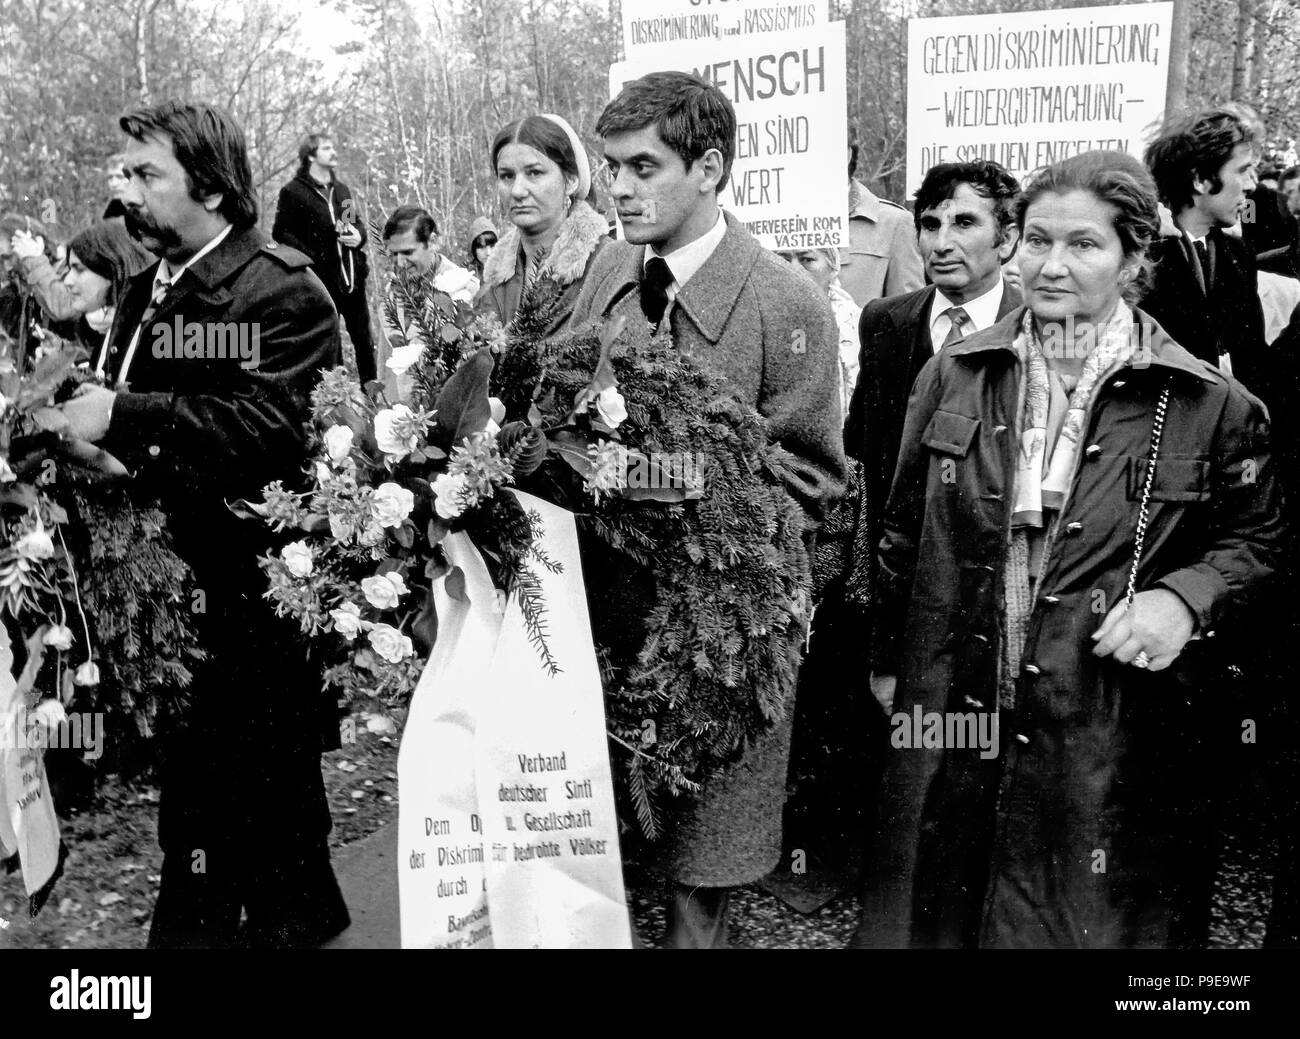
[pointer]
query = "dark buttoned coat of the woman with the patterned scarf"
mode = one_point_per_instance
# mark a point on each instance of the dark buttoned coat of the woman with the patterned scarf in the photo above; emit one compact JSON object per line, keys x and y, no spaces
{"x":1087,"y":829}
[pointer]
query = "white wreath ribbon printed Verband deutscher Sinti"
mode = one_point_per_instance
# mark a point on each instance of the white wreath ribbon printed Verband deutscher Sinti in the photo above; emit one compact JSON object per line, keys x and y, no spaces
{"x":508,"y":834}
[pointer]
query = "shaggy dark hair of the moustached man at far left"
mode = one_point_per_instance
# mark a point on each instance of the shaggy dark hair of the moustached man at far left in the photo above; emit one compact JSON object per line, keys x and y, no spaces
{"x":211,"y":149}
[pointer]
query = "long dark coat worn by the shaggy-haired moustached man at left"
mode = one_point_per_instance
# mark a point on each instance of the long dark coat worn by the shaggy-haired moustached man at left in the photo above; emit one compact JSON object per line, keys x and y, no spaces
{"x":200,"y":434}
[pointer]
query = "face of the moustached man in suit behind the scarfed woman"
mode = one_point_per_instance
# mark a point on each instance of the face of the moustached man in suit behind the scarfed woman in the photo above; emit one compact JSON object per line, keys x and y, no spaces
{"x":959,"y":244}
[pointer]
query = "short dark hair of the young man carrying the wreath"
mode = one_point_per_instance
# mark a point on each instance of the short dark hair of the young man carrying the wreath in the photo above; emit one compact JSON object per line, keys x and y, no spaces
{"x":690,"y":115}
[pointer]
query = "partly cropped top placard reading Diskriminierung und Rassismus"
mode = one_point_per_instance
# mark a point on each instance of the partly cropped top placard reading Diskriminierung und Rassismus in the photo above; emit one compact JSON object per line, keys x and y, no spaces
{"x":658,"y":23}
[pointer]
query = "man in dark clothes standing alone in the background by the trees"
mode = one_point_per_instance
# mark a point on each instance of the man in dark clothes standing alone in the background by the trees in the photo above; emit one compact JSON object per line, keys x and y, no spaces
{"x":318,"y":217}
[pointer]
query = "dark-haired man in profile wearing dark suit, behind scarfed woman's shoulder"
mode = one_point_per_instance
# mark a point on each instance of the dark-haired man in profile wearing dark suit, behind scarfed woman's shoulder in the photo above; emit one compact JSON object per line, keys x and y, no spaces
{"x":1206,"y":292}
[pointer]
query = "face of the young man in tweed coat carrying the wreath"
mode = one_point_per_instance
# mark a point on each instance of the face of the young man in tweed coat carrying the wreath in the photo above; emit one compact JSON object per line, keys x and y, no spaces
{"x":656,"y":193}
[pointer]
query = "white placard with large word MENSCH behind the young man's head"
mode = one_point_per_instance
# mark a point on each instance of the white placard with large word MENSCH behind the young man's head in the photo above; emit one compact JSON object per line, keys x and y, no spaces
{"x":790,"y":183}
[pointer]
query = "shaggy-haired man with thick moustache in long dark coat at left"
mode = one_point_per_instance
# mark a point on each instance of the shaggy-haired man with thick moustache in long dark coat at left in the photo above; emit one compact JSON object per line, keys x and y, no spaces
{"x":211,"y":362}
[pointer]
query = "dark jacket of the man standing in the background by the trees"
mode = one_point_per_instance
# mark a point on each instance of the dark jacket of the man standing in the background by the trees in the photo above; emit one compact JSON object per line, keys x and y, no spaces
{"x":306,"y":219}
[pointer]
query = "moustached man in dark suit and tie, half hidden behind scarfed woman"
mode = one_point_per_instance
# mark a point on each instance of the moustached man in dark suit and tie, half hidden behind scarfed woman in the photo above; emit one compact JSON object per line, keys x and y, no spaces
{"x":967,"y":232}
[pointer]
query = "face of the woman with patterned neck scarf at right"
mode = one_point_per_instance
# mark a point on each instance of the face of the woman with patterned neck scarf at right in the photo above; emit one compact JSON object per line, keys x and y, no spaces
{"x":1071,"y":258}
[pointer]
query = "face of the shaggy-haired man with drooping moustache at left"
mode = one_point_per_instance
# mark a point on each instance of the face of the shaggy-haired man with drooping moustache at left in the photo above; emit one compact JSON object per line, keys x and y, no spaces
{"x":159,"y":207}
